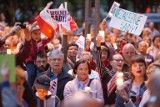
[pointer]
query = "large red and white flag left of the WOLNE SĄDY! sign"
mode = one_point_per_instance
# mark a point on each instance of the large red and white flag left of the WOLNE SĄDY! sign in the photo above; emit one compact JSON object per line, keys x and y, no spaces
{"x":46,"y":23}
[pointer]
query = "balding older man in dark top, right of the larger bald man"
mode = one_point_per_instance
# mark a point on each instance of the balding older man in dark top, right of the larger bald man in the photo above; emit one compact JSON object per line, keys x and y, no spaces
{"x":142,"y":49}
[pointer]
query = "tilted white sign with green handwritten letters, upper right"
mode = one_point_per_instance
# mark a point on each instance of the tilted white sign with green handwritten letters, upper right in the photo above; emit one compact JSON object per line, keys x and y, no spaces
{"x":125,"y":20}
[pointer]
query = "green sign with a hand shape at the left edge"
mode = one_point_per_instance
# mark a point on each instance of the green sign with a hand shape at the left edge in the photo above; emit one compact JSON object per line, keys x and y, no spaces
{"x":7,"y":64}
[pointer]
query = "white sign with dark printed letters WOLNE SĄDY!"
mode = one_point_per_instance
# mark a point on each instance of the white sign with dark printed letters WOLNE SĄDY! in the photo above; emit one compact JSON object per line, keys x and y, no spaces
{"x":60,"y":15}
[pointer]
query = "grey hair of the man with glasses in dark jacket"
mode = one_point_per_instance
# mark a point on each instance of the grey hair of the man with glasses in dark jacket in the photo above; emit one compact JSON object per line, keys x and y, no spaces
{"x":55,"y":53}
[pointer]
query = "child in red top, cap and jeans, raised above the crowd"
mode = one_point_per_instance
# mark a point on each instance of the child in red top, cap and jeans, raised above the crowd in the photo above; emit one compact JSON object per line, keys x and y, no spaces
{"x":37,"y":45}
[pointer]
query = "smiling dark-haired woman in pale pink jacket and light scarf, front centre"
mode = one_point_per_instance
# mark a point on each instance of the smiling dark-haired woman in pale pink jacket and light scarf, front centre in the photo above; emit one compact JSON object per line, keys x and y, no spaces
{"x":83,"y":83}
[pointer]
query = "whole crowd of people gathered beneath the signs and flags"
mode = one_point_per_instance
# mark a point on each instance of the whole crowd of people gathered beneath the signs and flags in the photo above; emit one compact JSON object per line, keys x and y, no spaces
{"x":46,"y":76}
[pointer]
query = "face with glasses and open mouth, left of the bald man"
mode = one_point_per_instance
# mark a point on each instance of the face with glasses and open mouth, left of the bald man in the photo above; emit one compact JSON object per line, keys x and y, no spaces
{"x":117,"y":62}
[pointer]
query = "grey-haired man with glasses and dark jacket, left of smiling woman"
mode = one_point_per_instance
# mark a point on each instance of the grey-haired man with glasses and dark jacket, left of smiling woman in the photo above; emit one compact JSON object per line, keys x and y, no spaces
{"x":58,"y":76}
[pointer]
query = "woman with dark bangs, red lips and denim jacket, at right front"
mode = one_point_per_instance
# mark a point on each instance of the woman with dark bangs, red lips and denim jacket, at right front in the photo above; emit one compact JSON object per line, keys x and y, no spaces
{"x":135,"y":87}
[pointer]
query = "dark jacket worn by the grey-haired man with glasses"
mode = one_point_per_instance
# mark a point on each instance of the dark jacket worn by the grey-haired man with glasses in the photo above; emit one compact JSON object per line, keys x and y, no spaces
{"x":63,"y":78}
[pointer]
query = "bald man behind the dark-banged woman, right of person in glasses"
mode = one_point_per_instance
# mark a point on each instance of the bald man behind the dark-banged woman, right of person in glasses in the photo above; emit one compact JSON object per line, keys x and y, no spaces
{"x":128,"y":51}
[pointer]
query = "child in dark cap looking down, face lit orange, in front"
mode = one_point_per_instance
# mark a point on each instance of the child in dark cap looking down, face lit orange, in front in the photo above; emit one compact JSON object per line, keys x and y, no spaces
{"x":44,"y":96}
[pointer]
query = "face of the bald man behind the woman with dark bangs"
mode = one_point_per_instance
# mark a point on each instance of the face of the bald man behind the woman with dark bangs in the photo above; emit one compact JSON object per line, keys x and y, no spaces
{"x":128,"y":52}
